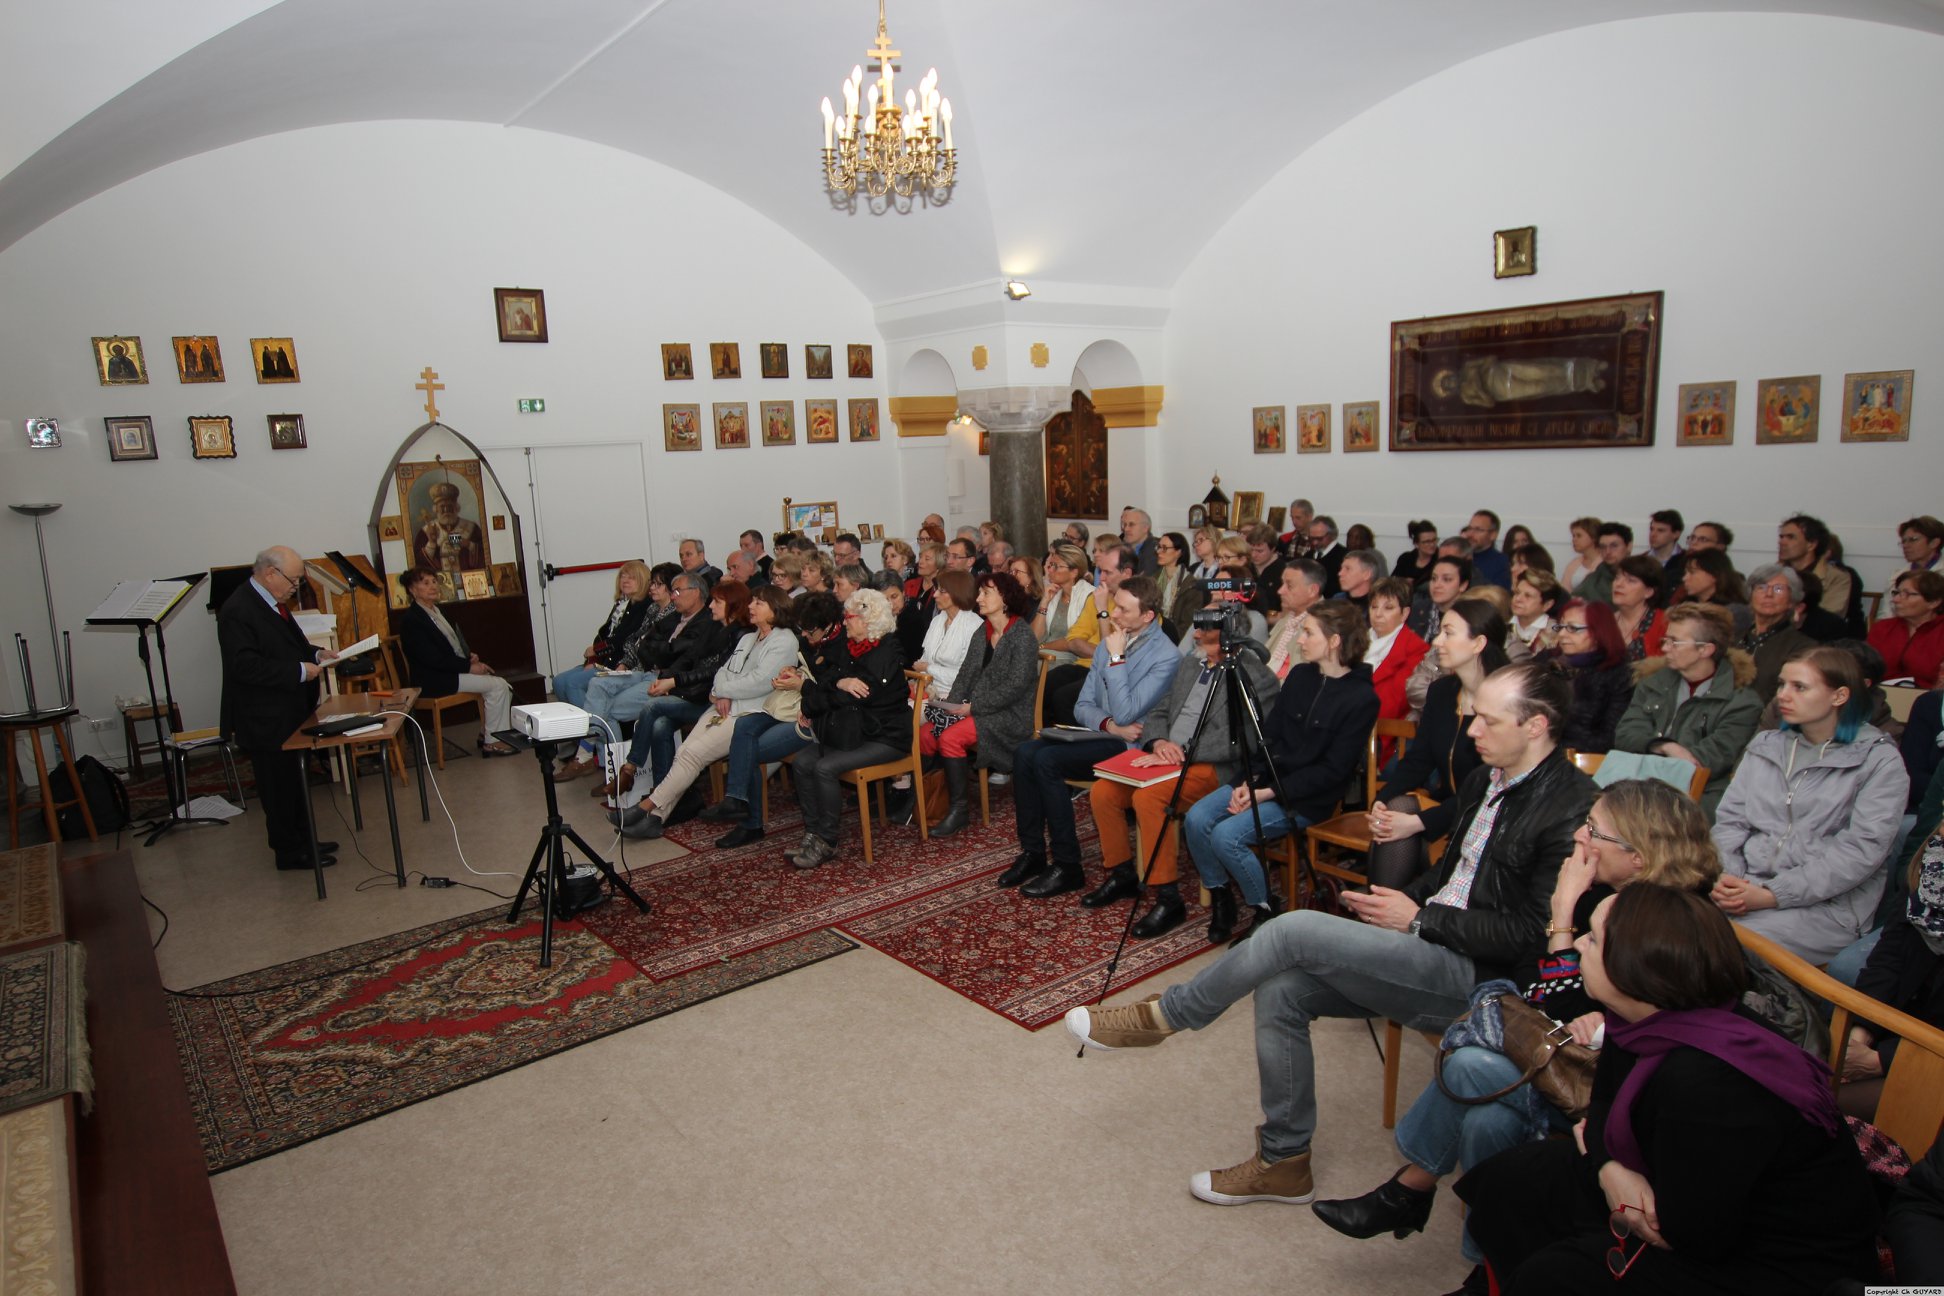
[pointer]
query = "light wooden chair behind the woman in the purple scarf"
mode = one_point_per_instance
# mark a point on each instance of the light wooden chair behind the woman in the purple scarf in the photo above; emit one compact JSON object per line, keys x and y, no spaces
{"x":1912,"y":1107}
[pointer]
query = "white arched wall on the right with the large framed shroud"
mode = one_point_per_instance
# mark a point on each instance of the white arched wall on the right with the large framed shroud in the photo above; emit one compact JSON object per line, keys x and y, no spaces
{"x":1776,"y":176}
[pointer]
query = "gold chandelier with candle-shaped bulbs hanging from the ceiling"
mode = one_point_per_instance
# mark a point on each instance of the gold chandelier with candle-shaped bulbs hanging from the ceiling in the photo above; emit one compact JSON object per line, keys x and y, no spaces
{"x":882,"y":149}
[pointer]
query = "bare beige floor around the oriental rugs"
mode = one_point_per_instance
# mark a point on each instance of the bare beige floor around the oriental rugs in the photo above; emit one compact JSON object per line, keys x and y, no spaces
{"x":849,"y":1128}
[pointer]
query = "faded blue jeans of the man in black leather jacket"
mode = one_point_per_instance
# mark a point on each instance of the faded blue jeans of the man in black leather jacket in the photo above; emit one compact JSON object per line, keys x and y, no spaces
{"x":1309,"y":965}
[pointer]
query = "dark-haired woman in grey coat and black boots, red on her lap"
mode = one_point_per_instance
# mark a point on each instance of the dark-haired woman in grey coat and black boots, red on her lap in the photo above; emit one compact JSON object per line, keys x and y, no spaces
{"x":990,"y":700}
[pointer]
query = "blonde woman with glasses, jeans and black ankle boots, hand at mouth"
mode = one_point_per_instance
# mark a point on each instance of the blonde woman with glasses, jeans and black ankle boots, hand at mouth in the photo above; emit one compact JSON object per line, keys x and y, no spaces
{"x":1638,"y":833}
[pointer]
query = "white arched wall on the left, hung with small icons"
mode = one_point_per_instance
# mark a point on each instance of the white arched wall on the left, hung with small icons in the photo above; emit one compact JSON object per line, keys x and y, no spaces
{"x":378,"y":250}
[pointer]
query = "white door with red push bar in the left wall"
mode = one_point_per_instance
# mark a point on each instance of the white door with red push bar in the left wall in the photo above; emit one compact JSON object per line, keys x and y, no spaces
{"x":588,"y":516}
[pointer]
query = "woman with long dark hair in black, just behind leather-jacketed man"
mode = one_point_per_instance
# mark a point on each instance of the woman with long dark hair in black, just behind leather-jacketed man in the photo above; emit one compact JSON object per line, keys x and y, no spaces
{"x":1418,"y":801}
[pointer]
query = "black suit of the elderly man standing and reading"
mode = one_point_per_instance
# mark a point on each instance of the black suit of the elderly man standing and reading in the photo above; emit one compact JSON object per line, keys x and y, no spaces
{"x":265,"y":699}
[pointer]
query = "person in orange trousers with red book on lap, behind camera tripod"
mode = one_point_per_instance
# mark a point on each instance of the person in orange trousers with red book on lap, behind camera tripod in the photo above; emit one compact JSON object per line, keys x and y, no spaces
{"x":1165,"y":735}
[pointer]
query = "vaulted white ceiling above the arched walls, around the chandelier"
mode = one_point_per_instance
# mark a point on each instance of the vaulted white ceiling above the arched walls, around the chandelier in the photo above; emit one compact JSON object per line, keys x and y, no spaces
{"x":1101,"y":141}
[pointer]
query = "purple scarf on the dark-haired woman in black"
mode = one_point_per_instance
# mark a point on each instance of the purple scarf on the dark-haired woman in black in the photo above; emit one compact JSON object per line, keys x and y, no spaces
{"x":1778,"y":1066}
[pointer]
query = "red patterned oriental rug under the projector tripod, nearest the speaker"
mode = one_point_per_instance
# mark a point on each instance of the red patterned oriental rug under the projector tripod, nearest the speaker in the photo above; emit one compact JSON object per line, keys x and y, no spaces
{"x":302,"y":1050}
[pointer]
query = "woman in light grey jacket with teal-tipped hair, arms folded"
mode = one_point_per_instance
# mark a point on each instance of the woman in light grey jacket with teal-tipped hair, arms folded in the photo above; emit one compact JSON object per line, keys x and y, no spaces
{"x":1813,"y":813}
